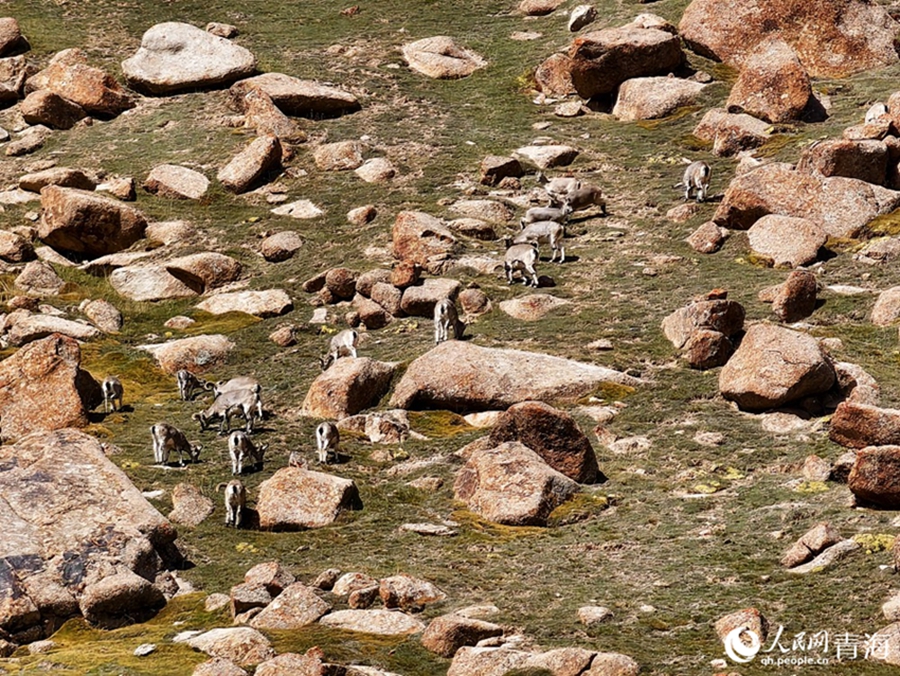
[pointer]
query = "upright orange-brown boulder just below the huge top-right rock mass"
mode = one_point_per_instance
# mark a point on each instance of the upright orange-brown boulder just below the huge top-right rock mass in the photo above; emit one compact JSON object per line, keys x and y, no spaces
{"x":772,"y":84}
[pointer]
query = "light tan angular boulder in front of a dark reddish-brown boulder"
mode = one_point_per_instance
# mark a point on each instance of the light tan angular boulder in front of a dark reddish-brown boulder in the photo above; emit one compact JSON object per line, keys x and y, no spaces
{"x":510,"y":484}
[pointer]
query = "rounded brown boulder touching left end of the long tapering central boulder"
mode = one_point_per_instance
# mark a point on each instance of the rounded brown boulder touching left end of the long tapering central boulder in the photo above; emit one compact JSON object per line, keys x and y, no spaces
{"x":347,"y":387}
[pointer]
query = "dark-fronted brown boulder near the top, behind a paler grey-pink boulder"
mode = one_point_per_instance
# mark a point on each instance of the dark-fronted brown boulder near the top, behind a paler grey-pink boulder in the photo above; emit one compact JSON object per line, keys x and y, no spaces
{"x":604,"y":59}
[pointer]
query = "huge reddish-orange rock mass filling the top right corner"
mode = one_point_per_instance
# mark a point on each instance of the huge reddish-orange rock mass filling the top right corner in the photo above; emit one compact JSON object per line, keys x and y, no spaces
{"x":832,"y":38}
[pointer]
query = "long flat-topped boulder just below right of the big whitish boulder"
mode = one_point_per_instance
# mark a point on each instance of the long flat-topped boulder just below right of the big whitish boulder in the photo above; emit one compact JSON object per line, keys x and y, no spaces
{"x":296,"y":97}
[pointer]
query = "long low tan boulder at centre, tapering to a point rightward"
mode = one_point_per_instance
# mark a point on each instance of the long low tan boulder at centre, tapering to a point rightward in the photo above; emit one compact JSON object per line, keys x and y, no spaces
{"x":460,"y":376}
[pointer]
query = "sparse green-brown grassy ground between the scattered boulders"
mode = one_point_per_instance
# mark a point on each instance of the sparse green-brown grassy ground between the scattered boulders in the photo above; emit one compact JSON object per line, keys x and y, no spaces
{"x":693,"y":559}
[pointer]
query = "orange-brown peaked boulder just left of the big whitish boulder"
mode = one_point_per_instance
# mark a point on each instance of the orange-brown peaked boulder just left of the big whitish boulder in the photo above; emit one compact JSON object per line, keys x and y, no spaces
{"x":69,"y":75}
